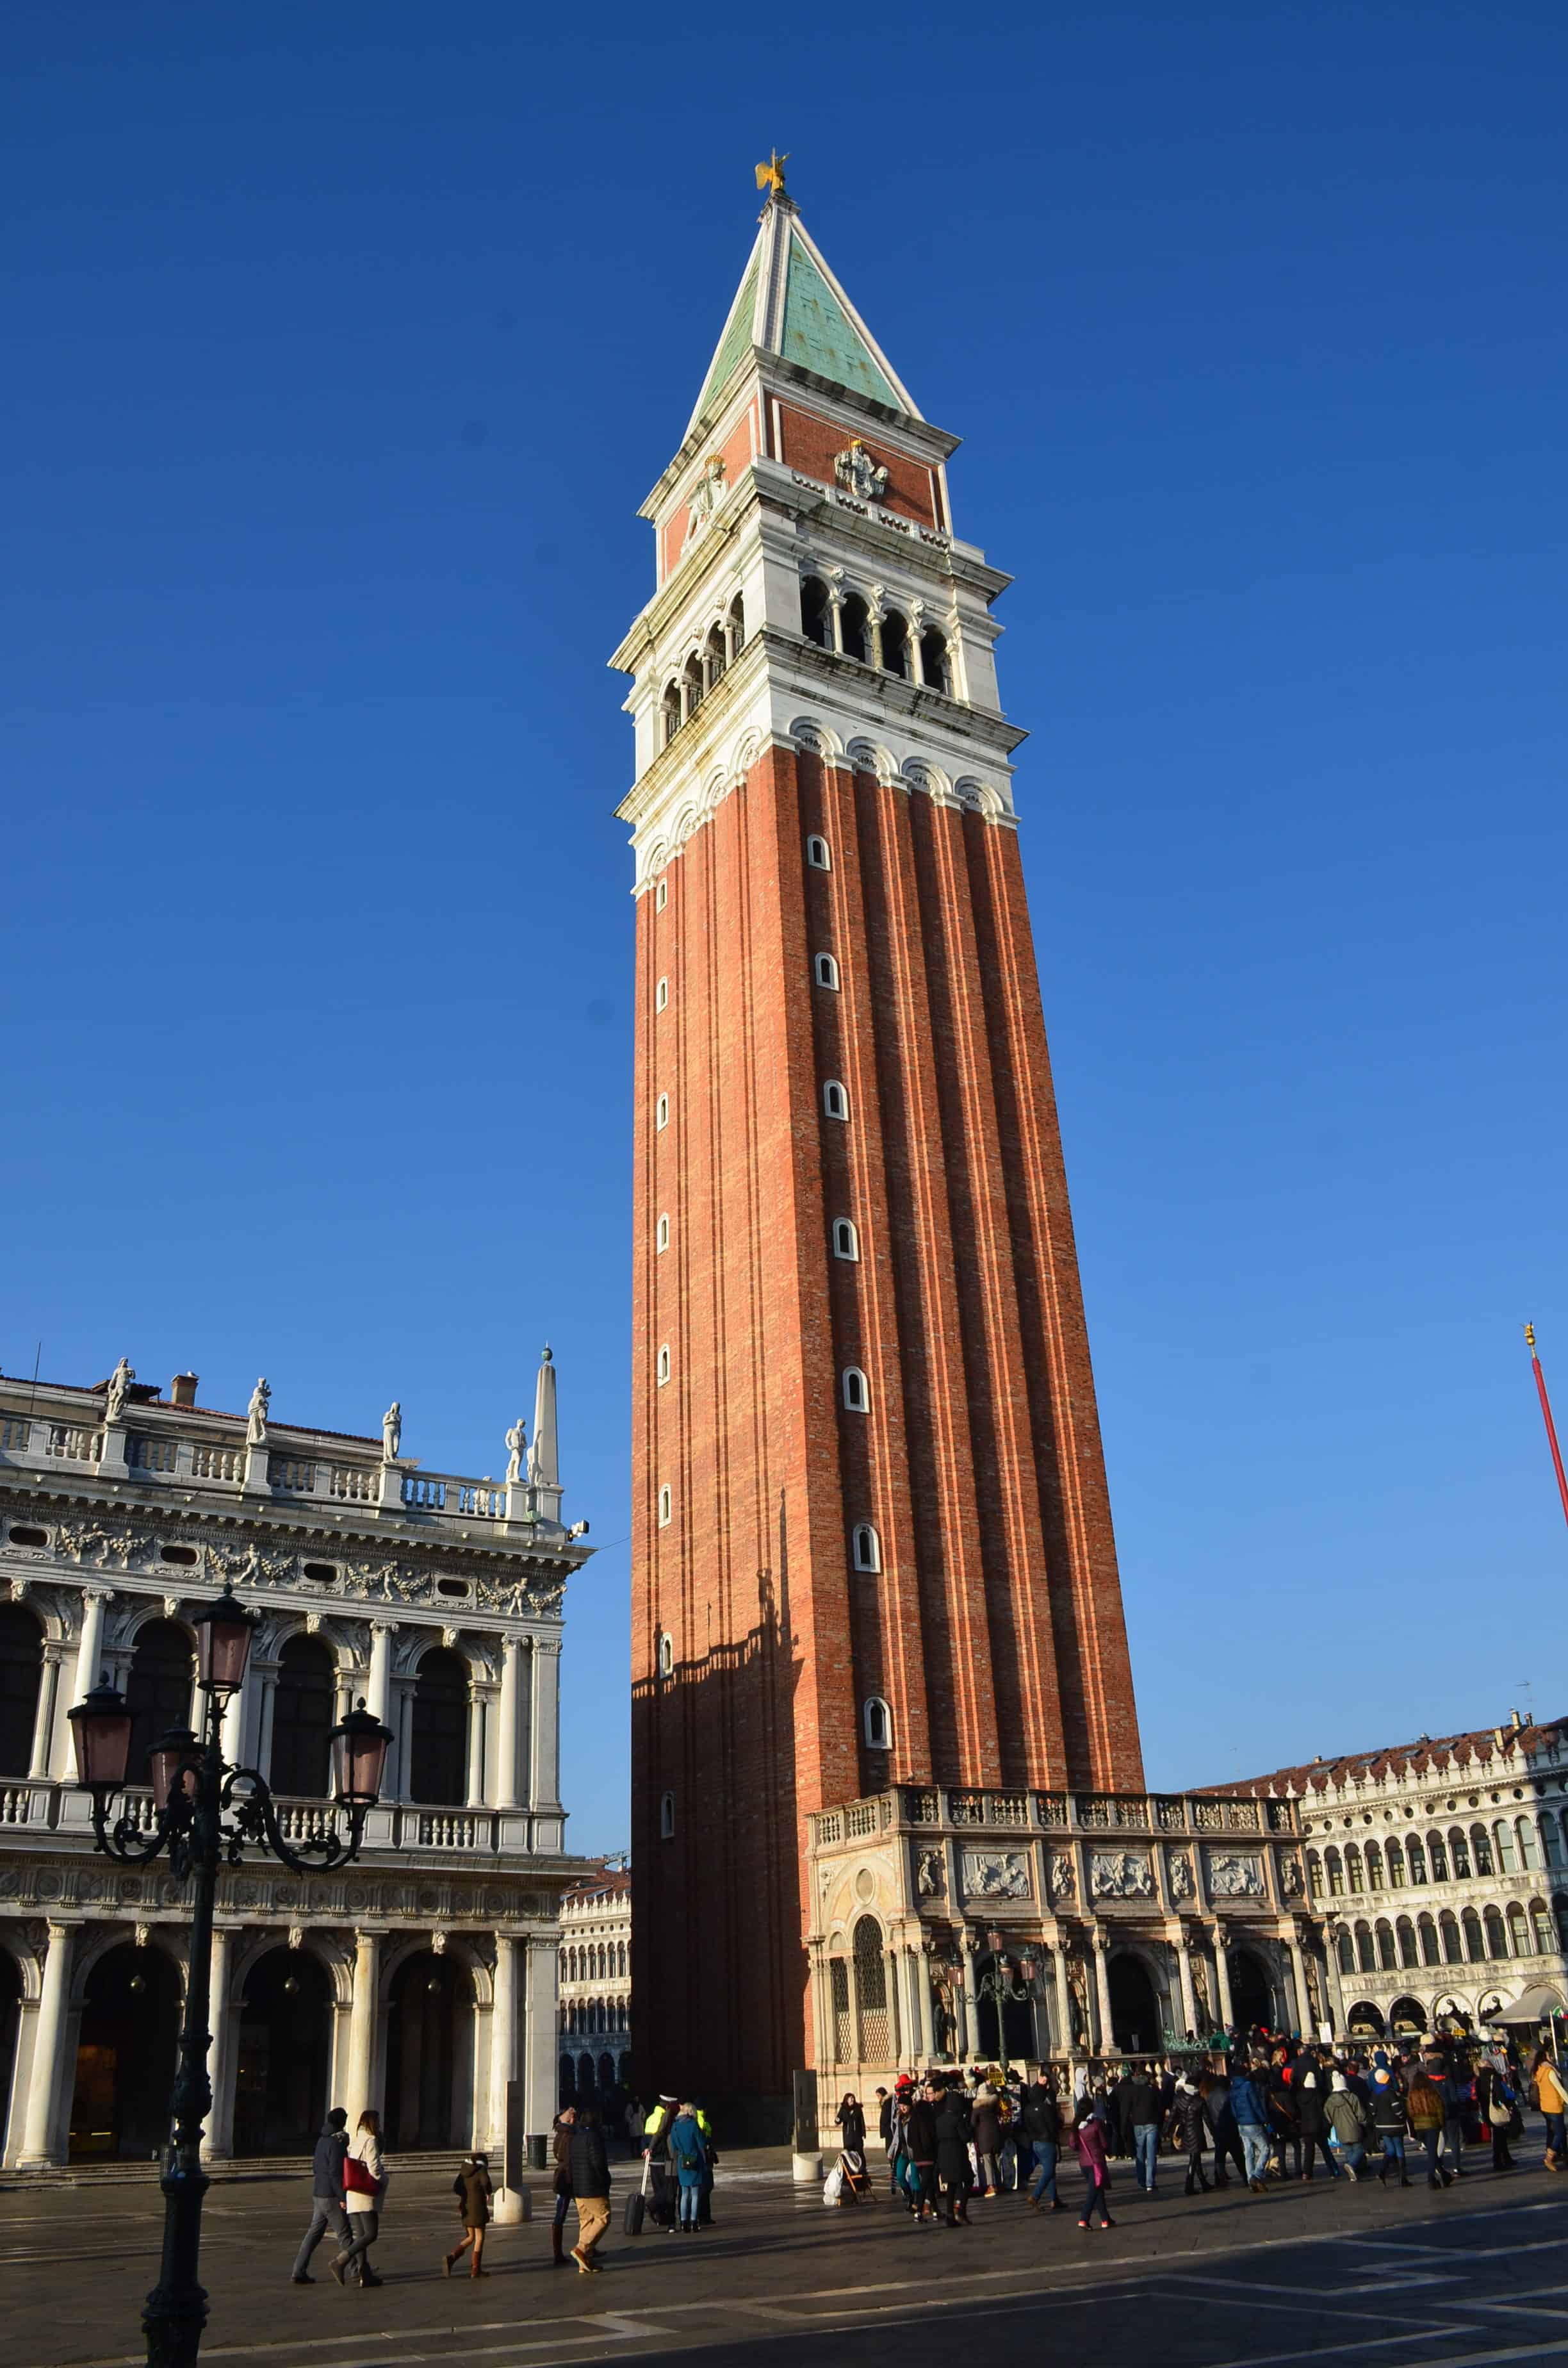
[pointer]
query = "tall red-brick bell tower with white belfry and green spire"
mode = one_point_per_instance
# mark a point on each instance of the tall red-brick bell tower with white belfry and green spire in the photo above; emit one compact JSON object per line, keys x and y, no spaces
{"x":873,"y":1536}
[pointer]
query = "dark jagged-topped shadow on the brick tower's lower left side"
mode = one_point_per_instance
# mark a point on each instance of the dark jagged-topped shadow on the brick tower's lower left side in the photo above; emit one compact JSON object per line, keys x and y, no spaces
{"x":719,"y":1964}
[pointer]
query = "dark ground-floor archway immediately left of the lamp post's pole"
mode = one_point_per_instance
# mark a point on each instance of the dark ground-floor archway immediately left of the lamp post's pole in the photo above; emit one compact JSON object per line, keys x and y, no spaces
{"x":127,"y":2054}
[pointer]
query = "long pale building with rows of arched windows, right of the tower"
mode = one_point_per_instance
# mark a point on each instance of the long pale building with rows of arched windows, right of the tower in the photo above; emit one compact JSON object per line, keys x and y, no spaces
{"x":1441,"y":1872}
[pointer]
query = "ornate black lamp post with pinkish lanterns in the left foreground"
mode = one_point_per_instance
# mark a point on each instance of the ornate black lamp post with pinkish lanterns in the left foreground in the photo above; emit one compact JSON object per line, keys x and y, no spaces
{"x":205,"y":1815}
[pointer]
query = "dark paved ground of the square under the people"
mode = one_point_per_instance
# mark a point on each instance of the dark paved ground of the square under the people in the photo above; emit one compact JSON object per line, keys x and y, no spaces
{"x":1465,"y":2279}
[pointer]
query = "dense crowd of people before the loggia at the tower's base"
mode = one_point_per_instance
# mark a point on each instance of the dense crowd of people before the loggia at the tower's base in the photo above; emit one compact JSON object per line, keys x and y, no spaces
{"x":1264,"y":2116}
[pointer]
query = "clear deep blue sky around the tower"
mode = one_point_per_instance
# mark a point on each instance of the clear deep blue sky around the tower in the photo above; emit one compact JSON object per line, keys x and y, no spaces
{"x":342,"y":345}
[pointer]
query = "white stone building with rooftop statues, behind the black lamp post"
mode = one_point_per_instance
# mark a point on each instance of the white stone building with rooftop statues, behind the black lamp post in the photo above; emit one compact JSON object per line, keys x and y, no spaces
{"x":423,"y":1978}
